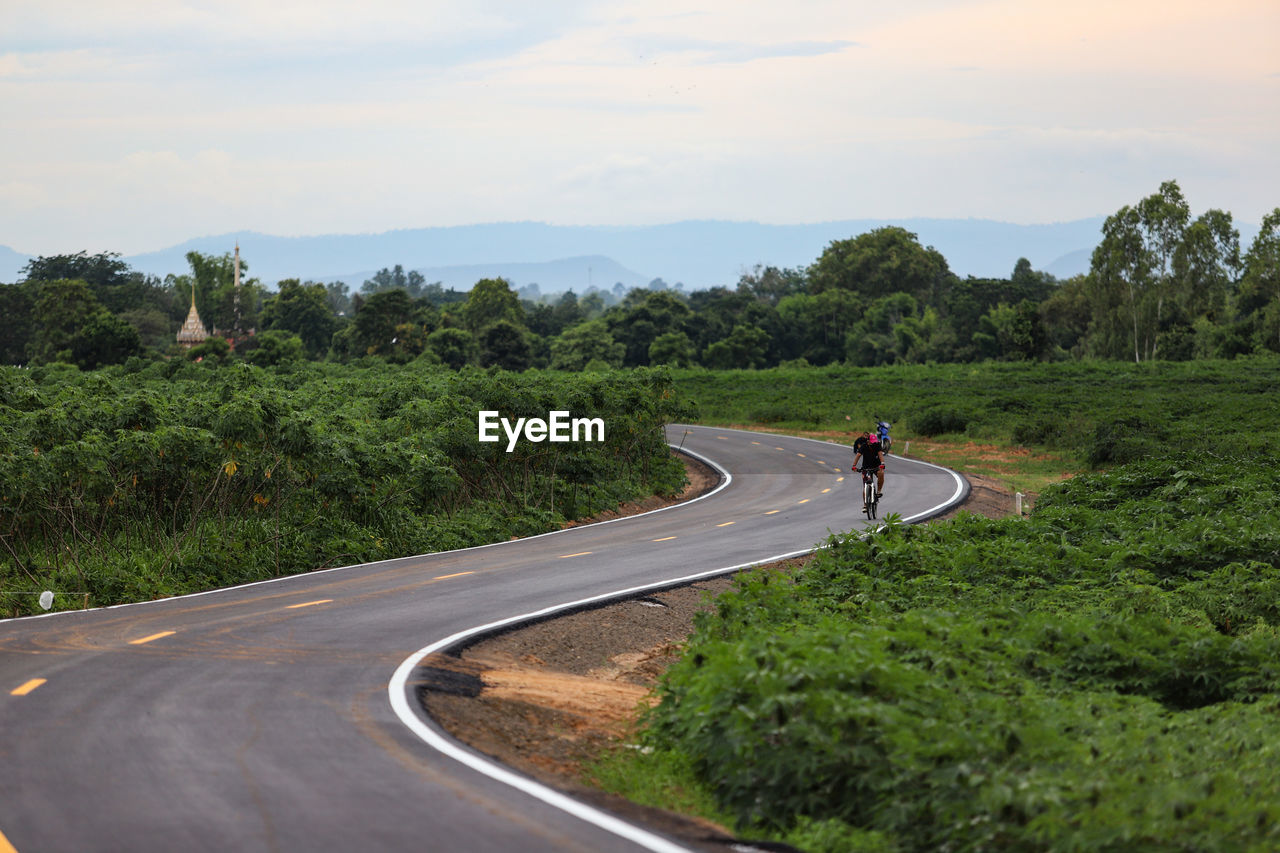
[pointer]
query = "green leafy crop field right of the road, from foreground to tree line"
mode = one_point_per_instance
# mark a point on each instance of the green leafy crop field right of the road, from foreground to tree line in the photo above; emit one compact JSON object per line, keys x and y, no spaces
{"x":1103,"y":676}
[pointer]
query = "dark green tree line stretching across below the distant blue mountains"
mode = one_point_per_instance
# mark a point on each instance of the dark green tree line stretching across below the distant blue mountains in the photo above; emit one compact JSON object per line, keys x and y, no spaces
{"x":1162,"y":285}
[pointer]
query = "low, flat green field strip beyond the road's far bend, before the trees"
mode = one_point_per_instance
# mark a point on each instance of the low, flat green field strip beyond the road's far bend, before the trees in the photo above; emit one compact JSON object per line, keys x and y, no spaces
{"x":1105,"y":412}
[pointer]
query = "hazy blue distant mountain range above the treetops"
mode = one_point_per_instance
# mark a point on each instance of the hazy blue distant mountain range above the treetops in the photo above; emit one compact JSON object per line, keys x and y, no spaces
{"x":557,"y":258}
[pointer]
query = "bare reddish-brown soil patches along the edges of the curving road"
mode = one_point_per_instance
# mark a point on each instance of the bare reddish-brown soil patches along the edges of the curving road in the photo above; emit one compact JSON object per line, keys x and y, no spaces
{"x":550,"y":699}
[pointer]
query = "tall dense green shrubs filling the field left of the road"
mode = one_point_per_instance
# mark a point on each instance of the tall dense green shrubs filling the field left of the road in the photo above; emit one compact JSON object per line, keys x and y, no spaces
{"x":162,"y":478}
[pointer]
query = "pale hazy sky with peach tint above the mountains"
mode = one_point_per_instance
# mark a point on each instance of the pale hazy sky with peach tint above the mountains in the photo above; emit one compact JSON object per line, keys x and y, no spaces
{"x":131,"y":126}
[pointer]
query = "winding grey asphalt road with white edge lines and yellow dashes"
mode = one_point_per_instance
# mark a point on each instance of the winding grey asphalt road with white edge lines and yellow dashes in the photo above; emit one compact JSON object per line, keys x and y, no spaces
{"x":281,"y":717}
